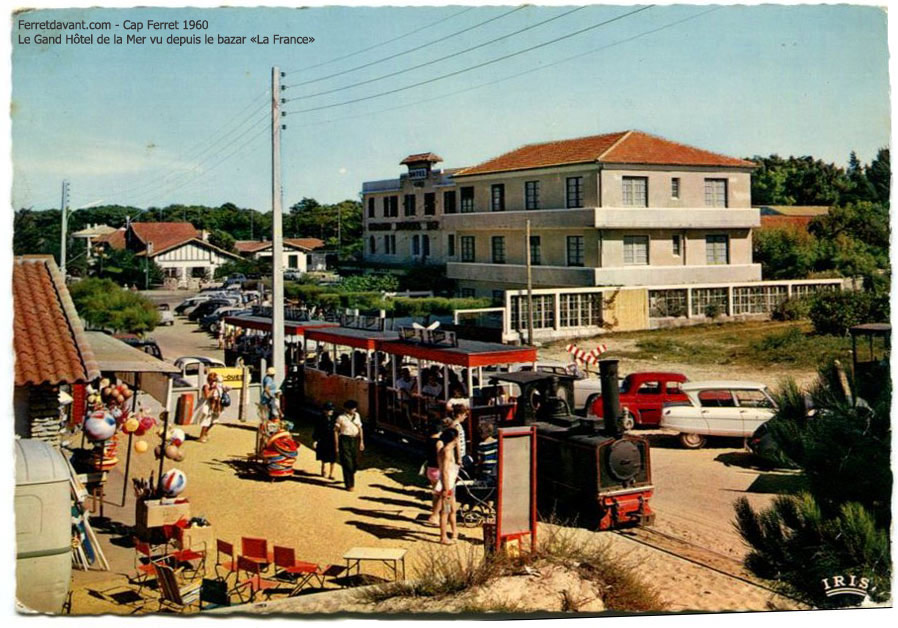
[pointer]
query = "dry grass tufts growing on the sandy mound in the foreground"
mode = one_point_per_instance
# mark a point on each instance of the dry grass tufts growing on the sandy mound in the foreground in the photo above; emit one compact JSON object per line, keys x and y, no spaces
{"x":440,"y":574}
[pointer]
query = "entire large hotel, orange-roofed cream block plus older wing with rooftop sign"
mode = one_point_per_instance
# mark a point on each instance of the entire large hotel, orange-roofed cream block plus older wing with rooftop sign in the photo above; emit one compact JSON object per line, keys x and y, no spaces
{"x":619,"y":209}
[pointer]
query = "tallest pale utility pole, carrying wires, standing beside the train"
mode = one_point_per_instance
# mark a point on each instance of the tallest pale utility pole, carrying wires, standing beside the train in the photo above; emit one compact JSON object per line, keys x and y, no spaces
{"x":277,"y":234}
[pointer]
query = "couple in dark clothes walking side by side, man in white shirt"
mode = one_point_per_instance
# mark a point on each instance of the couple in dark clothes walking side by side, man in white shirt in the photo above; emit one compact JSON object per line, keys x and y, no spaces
{"x":339,"y":438}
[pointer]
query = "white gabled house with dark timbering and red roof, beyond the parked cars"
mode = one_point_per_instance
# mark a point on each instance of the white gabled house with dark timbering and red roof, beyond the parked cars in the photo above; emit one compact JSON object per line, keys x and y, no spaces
{"x":177,"y":247}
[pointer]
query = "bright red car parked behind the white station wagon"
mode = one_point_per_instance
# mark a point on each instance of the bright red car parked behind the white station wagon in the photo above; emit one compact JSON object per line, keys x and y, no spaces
{"x":643,"y":395}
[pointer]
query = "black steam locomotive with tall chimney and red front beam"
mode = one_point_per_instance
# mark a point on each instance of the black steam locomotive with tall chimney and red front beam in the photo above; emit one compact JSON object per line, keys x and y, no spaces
{"x":590,"y":472}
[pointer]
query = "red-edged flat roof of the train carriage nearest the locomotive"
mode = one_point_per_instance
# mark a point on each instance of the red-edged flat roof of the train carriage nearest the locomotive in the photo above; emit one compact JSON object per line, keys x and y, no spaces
{"x":468,"y":353}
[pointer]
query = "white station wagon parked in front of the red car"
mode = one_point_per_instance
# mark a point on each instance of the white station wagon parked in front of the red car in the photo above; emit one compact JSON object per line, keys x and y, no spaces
{"x":724,"y":408}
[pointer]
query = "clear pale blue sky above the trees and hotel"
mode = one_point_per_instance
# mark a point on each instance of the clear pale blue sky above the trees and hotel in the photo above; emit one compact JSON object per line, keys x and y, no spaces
{"x":152,"y":125}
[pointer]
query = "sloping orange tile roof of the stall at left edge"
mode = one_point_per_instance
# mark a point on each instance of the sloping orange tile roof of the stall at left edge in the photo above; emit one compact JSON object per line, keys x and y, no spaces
{"x":48,"y":338}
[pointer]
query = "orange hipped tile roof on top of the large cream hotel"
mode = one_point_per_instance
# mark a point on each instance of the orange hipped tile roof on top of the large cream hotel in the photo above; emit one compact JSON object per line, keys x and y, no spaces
{"x":630,"y":147}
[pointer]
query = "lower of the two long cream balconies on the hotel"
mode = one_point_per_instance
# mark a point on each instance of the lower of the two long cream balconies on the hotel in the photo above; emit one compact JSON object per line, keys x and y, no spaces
{"x":564,"y":276}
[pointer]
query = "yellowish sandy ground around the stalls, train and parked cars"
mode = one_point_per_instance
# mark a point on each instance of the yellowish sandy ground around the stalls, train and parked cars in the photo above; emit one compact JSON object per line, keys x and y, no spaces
{"x":694,"y":494}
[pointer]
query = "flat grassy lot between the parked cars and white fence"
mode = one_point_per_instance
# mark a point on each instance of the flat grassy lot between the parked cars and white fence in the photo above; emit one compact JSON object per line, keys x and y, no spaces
{"x":747,"y":344}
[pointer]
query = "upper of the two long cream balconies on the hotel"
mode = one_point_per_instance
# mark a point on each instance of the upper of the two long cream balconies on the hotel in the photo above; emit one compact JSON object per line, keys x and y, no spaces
{"x":609,"y":218}
